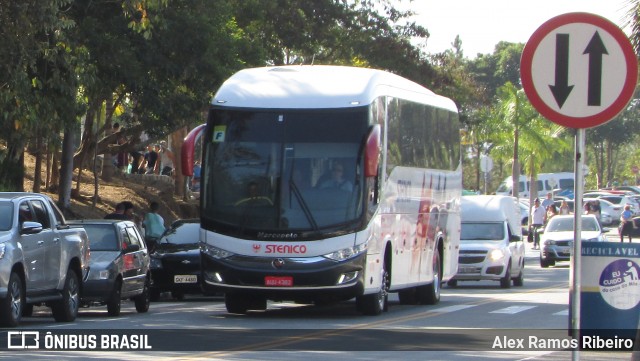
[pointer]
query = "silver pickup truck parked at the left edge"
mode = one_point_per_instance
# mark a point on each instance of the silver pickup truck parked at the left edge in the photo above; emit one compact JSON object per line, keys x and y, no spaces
{"x":43,"y":260}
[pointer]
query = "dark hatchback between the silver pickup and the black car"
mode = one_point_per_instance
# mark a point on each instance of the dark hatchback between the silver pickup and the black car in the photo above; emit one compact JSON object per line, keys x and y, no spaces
{"x":119,"y":266}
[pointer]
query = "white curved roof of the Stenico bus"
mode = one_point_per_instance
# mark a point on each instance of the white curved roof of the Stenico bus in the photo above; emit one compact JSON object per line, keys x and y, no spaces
{"x":319,"y":86}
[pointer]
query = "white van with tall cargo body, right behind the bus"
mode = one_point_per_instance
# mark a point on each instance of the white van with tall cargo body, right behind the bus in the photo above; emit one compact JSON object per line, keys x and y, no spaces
{"x":491,"y":245}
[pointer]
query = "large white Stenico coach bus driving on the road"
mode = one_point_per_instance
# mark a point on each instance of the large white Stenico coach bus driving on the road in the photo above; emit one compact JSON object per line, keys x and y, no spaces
{"x":324,"y":183}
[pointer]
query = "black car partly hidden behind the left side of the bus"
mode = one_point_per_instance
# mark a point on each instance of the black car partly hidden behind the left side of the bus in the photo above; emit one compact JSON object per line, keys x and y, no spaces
{"x":175,"y":260}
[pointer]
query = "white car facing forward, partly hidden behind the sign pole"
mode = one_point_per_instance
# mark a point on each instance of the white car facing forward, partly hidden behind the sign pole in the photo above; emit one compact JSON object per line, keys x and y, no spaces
{"x":557,"y":237}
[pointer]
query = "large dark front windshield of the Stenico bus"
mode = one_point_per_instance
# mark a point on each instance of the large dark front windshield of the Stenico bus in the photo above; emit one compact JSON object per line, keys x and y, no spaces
{"x":283,"y":171}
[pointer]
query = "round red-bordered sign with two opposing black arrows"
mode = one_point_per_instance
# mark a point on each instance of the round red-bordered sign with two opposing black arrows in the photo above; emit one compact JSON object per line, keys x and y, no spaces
{"x":579,"y":70}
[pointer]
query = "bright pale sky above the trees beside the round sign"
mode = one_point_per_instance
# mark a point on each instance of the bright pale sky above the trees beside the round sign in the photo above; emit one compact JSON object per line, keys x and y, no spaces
{"x":481,"y":24}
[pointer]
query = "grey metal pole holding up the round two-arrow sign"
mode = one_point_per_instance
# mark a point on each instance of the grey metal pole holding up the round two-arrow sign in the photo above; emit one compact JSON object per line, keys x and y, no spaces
{"x":576,"y":263}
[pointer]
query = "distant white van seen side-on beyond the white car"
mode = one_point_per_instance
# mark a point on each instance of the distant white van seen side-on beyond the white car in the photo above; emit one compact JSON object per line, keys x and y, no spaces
{"x":546,"y":183}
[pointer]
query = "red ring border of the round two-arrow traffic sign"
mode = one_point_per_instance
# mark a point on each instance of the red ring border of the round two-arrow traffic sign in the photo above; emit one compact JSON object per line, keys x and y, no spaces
{"x":579,"y":122}
